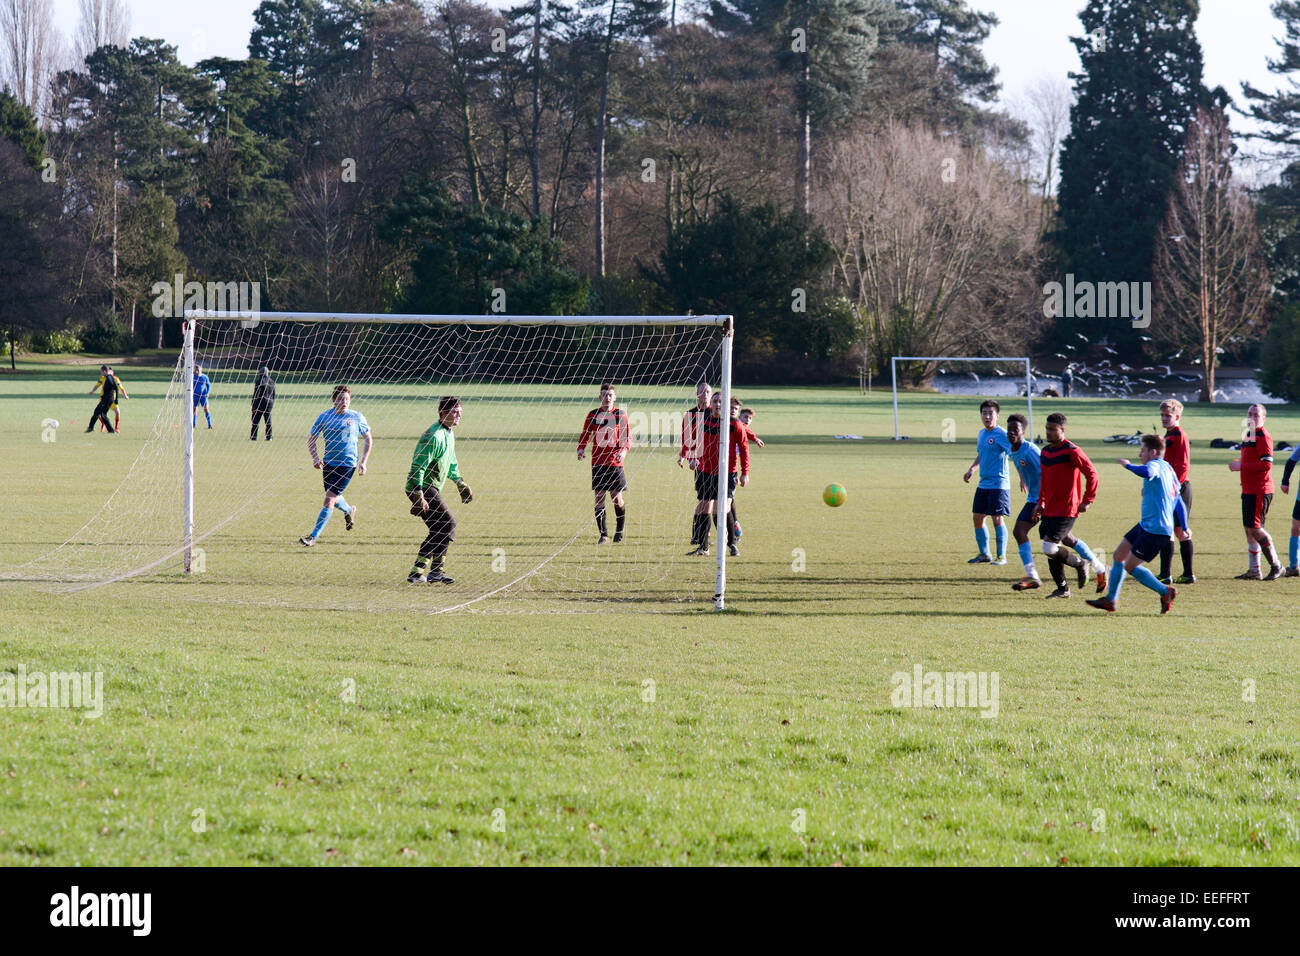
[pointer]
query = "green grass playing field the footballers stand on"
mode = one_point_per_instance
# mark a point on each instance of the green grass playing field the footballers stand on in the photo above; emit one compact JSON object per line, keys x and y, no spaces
{"x":255,"y":715}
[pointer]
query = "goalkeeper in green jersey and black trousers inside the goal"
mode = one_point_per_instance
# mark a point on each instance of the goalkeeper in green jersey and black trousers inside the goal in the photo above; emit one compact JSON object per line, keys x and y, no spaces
{"x":434,"y":464}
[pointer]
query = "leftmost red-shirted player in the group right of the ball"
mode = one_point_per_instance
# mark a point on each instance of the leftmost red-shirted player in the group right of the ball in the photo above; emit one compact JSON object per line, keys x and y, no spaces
{"x":1061,"y":501}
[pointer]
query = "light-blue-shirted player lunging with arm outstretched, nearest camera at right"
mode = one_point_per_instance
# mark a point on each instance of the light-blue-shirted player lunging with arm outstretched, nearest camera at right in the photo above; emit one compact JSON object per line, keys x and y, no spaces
{"x":1163,"y":513}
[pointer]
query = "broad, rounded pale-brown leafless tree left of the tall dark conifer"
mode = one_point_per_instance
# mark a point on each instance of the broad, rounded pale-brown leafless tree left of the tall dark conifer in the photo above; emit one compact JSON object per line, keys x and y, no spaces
{"x":937,"y":244}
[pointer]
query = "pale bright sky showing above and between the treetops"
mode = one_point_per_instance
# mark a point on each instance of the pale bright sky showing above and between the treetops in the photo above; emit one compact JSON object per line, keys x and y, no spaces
{"x":1032,"y":41}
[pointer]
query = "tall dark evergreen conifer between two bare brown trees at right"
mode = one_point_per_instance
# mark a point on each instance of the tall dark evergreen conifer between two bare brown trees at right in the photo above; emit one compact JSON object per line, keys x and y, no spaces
{"x":1138,"y":92}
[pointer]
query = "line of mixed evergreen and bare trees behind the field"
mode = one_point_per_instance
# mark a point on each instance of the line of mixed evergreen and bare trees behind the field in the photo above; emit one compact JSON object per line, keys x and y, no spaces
{"x":838,"y":174}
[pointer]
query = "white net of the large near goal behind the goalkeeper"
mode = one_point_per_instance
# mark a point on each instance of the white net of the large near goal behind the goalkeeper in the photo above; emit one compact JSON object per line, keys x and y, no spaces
{"x":526,"y":384}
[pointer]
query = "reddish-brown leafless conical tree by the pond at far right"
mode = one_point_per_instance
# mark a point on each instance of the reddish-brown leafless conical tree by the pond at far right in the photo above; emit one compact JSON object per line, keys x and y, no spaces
{"x":1211,"y":279}
